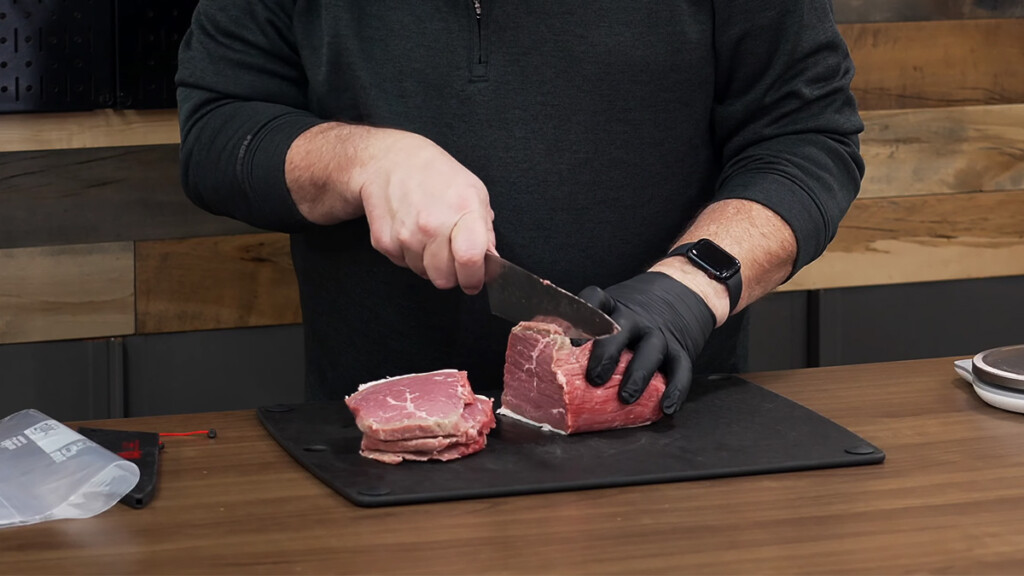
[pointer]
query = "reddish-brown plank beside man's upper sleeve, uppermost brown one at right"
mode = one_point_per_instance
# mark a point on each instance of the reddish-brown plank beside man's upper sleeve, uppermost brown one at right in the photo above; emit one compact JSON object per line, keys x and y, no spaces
{"x":937,"y":64}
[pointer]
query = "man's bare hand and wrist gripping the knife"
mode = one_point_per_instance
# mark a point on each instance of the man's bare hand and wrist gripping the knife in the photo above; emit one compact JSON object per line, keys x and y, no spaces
{"x":426,"y":212}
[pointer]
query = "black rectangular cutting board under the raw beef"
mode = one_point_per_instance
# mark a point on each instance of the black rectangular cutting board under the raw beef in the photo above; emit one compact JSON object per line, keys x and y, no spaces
{"x":729,"y":427}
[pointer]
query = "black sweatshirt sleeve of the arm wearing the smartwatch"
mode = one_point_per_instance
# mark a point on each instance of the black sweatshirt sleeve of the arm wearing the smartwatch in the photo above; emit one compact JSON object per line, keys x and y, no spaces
{"x":785,"y":120}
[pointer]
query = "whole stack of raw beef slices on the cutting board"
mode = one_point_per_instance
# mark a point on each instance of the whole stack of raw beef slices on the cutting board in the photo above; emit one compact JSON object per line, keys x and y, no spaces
{"x":432,"y":417}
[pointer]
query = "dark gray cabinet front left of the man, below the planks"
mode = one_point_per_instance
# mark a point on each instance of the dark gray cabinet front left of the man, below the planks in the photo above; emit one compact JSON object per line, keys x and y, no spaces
{"x":154,"y":375}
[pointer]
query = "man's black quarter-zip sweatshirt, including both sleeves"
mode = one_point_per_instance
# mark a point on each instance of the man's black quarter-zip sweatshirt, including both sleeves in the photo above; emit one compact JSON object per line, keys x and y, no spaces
{"x":600,"y":128}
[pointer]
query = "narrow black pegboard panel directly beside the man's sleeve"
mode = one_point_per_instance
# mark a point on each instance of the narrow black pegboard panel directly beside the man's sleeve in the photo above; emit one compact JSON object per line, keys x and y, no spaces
{"x":149,"y":33}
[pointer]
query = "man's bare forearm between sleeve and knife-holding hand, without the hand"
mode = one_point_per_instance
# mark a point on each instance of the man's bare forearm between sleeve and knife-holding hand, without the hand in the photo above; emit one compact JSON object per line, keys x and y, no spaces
{"x":322,"y":170}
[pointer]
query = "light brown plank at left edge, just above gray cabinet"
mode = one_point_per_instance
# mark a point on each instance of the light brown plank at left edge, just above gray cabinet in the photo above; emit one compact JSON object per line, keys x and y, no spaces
{"x":66,"y":293}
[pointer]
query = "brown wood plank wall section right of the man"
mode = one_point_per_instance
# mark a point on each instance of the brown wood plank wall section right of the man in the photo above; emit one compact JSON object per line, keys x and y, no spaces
{"x":944,"y":197}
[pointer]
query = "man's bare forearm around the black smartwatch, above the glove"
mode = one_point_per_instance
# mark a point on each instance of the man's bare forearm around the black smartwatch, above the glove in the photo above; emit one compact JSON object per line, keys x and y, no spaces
{"x":758,"y":237}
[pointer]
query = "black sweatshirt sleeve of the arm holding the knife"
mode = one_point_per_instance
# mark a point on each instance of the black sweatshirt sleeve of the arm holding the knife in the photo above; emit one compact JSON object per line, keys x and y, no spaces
{"x":242,"y":103}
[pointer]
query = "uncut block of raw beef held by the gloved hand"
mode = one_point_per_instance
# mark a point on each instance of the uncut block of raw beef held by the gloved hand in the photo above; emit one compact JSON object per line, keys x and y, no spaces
{"x":546,"y":385}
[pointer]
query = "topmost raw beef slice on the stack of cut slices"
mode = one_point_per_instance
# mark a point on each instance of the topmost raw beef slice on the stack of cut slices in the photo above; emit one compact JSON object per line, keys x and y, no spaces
{"x":413,"y":406}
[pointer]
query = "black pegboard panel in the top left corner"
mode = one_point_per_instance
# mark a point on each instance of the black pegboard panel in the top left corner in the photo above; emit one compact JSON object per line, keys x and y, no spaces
{"x":57,"y":55}
